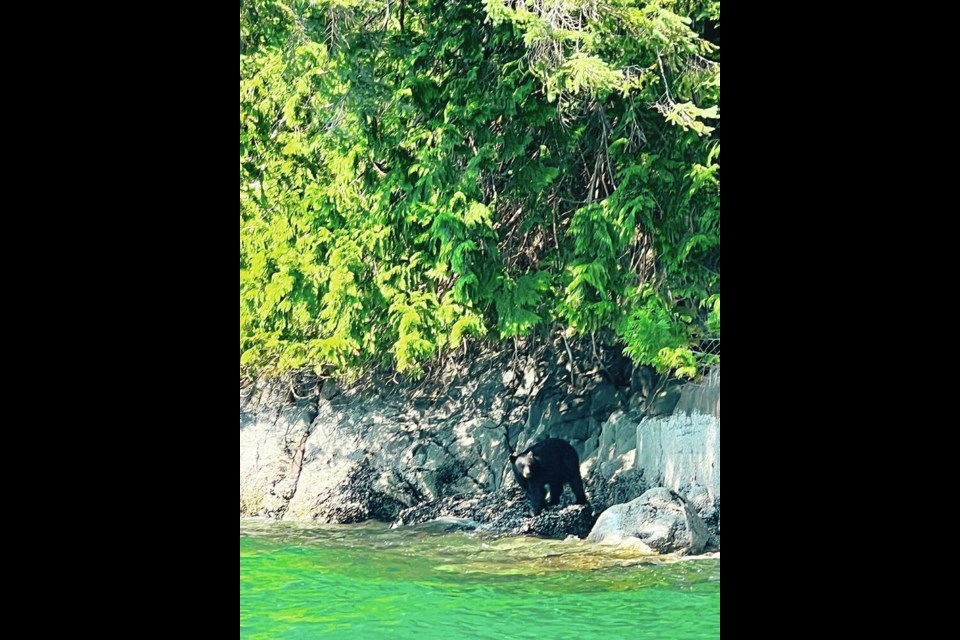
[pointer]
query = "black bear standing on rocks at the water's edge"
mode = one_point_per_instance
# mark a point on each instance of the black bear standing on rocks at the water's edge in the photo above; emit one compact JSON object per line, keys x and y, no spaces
{"x":550,"y":463}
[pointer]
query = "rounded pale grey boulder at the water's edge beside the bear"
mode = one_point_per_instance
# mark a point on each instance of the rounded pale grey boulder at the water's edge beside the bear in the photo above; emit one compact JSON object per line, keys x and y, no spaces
{"x":660,"y":520}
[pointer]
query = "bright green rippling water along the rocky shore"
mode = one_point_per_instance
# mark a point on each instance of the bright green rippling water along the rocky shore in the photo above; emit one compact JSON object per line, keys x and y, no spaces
{"x":369,"y":582}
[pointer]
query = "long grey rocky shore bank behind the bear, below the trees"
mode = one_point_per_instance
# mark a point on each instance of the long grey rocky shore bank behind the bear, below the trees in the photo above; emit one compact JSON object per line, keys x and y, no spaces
{"x":329,"y":453}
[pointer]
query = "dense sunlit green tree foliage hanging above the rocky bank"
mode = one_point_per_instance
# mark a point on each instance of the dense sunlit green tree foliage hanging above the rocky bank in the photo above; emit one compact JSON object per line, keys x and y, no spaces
{"x":415,"y":174}
